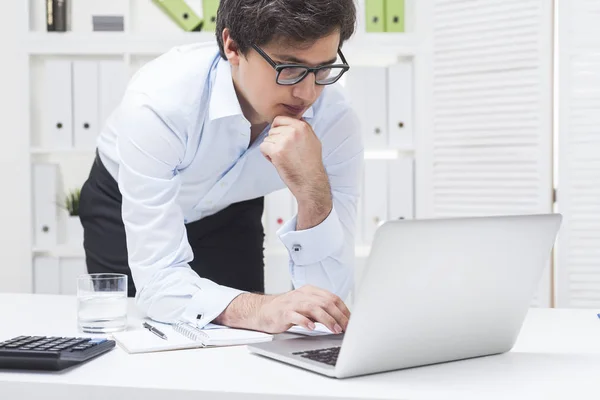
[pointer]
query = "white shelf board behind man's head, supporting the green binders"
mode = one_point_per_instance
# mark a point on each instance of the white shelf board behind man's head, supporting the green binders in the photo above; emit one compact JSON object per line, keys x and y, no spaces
{"x":119,"y":43}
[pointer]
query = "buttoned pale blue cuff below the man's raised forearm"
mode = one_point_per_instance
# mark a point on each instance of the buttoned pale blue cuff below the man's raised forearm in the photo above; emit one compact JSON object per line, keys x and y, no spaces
{"x":315,"y":244}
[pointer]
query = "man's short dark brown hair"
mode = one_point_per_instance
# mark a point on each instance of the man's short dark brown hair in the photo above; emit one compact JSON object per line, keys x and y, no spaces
{"x":296,"y":22}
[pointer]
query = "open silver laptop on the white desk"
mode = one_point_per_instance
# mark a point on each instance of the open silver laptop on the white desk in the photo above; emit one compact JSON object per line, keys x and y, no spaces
{"x":433,"y":291}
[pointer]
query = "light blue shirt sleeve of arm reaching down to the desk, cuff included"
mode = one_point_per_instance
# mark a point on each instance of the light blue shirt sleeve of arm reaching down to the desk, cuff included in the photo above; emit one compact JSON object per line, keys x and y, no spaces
{"x":150,"y":148}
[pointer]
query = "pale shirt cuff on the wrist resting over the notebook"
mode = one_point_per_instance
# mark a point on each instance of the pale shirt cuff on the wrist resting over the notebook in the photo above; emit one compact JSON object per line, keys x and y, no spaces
{"x":208,"y":303}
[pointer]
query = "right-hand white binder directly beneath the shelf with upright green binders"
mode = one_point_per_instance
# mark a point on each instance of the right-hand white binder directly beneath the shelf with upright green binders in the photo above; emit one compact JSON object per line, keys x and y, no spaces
{"x":400,"y":105}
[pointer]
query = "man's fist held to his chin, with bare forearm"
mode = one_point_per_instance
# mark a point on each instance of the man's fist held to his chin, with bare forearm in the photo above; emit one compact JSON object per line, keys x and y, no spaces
{"x":295,"y":151}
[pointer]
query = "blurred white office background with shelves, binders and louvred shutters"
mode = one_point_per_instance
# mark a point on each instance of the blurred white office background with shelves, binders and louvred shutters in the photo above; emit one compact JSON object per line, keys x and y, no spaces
{"x":469,"y":107}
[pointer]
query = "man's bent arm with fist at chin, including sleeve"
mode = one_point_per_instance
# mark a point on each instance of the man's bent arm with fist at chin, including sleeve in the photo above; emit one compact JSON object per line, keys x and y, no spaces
{"x":325,"y":179}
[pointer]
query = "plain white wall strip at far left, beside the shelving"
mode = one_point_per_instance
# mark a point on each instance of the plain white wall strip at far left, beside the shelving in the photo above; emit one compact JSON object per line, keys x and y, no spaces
{"x":15,"y":212}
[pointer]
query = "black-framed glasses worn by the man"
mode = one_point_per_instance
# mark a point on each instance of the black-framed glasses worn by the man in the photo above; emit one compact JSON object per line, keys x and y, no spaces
{"x":291,"y":74}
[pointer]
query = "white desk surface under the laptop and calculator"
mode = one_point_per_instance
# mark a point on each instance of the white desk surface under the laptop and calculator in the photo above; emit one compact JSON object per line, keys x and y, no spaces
{"x":557,"y":356}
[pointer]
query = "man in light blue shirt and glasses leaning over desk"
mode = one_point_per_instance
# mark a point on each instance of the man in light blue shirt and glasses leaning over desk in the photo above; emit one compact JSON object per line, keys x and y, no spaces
{"x":175,"y":196}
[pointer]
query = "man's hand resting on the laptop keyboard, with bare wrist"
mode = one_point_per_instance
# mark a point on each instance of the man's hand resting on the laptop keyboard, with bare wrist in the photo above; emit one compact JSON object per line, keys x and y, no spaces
{"x":276,"y":314}
